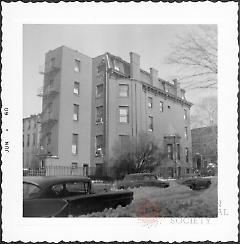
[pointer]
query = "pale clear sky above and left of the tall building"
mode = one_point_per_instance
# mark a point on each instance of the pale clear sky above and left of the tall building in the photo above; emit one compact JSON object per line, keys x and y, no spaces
{"x":152,"y":42}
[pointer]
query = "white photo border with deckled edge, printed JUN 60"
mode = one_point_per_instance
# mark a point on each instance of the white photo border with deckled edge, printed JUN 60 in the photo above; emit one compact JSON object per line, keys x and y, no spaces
{"x":17,"y":228}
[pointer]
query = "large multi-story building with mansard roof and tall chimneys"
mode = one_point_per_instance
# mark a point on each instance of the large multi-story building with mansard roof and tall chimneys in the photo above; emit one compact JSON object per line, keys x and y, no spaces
{"x":90,"y":104}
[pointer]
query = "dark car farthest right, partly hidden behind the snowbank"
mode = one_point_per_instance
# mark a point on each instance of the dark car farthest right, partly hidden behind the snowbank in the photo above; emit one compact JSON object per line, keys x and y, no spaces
{"x":196,"y":183}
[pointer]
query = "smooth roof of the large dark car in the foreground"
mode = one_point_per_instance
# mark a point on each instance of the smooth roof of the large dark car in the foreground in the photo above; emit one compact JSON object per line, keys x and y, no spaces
{"x":45,"y":181}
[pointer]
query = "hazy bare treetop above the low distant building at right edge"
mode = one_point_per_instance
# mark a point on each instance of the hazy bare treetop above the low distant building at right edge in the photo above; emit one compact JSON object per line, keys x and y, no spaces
{"x":205,"y":113}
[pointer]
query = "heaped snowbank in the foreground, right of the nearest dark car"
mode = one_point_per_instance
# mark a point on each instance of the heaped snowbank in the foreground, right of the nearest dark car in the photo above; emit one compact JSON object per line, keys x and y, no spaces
{"x":174,"y":201}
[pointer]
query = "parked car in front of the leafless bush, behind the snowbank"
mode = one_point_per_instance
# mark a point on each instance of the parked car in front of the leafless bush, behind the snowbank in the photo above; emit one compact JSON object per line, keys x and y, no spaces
{"x":141,"y":179}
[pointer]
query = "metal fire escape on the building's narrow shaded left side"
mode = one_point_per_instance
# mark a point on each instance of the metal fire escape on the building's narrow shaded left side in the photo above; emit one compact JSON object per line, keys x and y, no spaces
{"x":48,"y":118}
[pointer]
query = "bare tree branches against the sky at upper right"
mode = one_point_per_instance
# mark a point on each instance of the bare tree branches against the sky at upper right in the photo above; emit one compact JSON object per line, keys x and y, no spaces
{"x":195,"y":56}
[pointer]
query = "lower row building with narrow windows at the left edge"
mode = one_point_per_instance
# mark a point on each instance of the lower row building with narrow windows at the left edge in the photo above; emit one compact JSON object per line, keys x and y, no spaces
{"x":31,"y":140}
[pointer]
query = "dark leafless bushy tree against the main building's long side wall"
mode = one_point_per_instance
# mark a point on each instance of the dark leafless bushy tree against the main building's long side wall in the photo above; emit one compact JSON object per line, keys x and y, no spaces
{"x":137,"y":156}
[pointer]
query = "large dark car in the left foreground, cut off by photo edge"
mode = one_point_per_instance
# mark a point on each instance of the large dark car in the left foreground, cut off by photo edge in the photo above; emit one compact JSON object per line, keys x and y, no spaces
{"x":61,"y":196}
